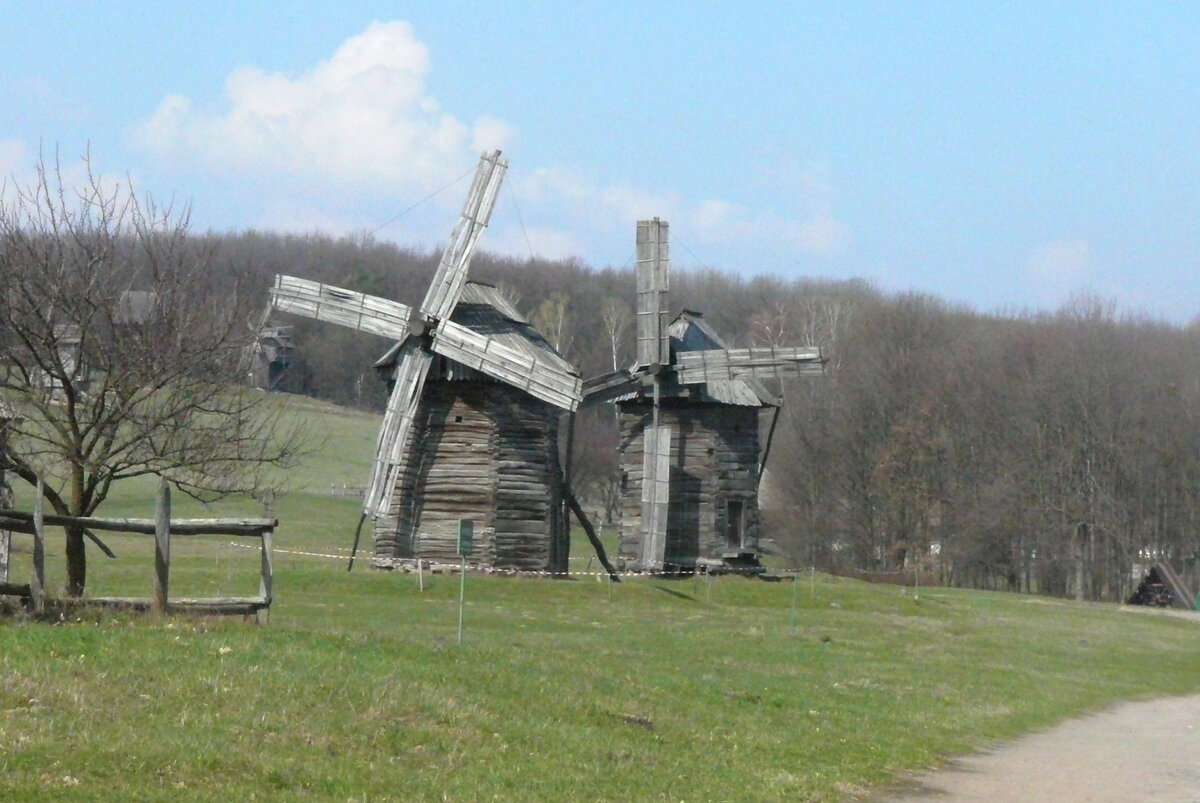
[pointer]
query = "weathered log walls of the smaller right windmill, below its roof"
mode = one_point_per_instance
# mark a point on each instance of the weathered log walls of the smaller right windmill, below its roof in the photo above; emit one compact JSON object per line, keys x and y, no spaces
{"x":715,"y":463}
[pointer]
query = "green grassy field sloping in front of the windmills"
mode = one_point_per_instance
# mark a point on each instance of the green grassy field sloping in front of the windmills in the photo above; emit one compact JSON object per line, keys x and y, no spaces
{"x":651,"y":690}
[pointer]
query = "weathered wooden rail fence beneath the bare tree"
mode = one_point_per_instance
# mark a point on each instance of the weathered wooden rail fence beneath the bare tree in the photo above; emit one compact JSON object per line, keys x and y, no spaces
{"x":164,"y":529}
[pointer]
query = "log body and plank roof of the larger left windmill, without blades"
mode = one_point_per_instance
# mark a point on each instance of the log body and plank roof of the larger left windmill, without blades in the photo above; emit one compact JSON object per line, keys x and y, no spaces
{"x":482,"y":451}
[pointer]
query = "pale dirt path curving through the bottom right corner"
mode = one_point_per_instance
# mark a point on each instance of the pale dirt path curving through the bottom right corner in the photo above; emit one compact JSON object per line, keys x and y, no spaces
{"x":1135,"y":752}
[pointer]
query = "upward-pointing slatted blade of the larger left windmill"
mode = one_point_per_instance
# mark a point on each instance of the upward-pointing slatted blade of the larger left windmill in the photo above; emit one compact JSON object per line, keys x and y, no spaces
{"x":447,"y":286}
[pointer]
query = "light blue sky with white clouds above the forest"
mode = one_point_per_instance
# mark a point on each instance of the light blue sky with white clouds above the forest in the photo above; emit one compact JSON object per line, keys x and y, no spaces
{"x":1007,"y":157}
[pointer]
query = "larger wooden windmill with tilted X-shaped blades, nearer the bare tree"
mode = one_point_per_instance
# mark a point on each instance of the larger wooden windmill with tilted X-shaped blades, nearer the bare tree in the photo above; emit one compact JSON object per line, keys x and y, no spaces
{"x":471,"y":427}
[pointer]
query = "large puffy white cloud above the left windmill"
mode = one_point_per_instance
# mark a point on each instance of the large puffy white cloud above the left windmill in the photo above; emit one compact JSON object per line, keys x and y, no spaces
{"x":361,"y":119}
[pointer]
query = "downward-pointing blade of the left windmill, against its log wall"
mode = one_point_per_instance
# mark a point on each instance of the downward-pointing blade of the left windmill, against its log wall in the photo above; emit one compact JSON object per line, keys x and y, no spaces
{"x":398,"y":424}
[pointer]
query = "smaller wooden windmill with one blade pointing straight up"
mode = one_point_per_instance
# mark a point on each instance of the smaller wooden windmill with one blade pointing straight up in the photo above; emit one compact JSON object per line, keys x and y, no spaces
{"x":689,"y":416}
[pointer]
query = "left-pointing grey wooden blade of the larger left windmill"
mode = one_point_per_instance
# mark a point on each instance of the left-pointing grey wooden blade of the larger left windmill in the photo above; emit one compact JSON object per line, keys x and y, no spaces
{"x":339,"y":305}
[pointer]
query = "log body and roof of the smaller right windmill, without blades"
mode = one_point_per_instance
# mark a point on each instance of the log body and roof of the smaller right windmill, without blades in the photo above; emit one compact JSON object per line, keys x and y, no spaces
{"x":715,"y":463}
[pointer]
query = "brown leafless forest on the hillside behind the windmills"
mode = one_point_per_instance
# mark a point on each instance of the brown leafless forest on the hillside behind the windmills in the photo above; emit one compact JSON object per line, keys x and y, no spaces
{"x":1046,"y":453}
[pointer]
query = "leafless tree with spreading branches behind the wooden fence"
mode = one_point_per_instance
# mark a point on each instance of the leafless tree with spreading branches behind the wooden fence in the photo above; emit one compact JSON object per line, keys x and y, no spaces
{"x":122,"y":347}
